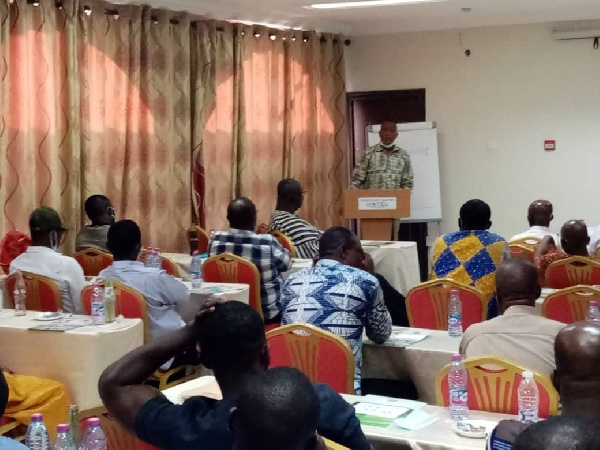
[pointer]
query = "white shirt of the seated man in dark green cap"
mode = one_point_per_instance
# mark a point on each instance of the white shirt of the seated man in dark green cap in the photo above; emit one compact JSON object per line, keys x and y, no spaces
{"x":67,"y":273}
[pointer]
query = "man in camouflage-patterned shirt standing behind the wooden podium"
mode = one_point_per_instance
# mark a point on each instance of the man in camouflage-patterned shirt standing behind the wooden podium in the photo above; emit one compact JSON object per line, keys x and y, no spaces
{"x":385,"y":165}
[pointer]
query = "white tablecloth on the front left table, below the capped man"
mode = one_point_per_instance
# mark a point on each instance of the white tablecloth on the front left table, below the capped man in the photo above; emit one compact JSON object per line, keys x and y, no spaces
{"x":75,"y":358}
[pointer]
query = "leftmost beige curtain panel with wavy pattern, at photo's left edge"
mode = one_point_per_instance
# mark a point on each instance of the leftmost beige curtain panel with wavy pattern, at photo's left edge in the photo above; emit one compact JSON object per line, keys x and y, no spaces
{"x":39,"y":132}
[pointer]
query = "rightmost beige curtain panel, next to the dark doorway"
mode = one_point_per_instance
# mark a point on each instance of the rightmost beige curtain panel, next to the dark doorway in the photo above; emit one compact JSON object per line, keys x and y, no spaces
{"x":282,"y":96}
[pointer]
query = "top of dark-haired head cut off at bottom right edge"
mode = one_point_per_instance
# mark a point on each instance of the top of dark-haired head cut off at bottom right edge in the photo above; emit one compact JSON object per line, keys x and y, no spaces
{"x":560,"y":433}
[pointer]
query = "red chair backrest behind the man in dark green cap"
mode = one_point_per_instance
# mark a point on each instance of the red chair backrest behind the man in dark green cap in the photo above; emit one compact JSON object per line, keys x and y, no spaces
{"x":43,"y":294}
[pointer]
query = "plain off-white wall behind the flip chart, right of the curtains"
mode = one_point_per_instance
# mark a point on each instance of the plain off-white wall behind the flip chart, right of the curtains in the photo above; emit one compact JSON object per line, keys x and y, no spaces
{"x":494,"y":110}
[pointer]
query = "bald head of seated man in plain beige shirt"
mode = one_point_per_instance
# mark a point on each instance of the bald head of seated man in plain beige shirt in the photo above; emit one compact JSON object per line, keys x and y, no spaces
{"x":517,"y":283}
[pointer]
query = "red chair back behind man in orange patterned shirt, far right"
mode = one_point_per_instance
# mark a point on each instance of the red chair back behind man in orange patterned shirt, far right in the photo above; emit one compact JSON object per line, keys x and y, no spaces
{"x":572,"y":271}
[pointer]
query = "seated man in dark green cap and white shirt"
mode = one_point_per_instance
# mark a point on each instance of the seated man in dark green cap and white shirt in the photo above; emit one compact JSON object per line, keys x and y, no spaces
{"x":42,"y":258}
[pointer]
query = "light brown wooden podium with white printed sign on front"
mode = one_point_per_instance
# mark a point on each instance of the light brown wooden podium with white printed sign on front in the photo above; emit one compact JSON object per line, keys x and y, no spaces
{"x":376,"y":210}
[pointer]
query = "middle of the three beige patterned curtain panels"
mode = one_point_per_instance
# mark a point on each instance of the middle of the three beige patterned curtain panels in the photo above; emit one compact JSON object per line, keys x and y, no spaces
{"x":136,"y":118}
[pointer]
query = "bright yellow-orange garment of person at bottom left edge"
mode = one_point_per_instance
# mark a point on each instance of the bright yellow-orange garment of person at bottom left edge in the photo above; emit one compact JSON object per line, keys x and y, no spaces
{"x":24,"y":395}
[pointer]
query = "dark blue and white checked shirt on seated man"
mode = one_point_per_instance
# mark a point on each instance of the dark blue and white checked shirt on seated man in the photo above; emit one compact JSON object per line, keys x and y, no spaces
{"x":269,"y":257}
